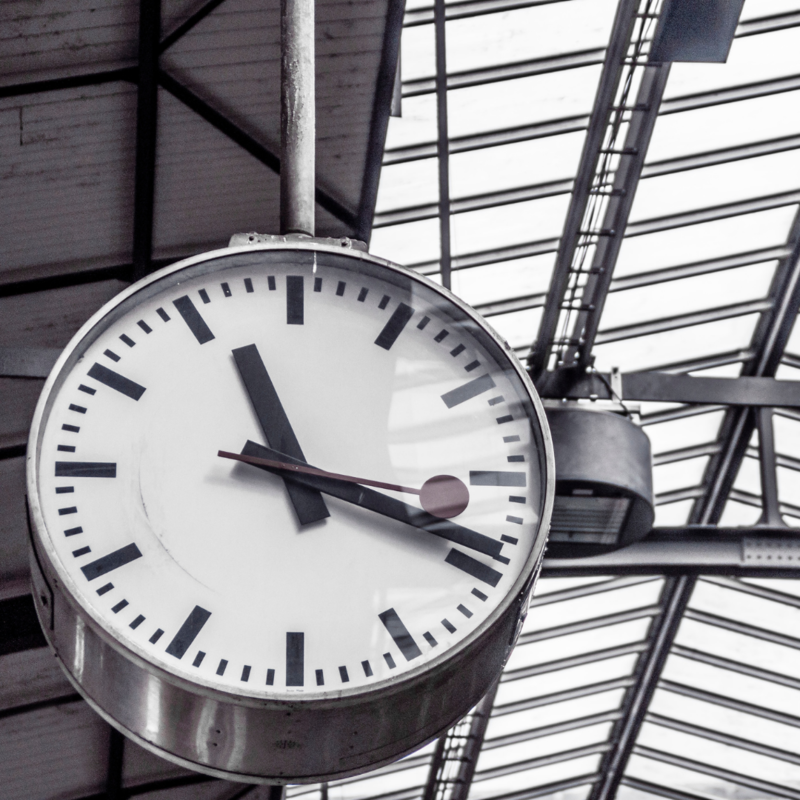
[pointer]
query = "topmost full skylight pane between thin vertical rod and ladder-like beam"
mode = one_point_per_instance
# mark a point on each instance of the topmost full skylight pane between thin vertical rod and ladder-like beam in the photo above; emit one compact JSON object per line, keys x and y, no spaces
{"x":528,"y":33}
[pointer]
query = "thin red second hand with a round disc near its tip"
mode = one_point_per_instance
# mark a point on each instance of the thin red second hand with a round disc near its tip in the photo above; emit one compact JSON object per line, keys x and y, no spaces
{"x":443,"y":496}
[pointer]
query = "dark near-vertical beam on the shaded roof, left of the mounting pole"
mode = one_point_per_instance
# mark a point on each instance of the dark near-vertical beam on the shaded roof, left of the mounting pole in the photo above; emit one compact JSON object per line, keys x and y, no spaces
{"x":146,"y":128}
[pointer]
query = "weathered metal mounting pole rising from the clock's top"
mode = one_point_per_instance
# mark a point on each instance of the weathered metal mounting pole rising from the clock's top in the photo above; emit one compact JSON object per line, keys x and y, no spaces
{"x":298,"y":125}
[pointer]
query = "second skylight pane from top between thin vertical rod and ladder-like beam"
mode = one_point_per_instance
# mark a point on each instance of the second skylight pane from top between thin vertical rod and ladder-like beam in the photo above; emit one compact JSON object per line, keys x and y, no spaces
{"x":511,"y":103}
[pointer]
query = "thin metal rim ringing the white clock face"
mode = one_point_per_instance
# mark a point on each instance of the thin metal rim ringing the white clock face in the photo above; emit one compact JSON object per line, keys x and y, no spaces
{"x":385,"y":687}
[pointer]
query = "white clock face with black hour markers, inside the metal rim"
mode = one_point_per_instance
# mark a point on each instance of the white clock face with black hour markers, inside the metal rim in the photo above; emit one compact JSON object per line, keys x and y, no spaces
{"x":246,"y":580}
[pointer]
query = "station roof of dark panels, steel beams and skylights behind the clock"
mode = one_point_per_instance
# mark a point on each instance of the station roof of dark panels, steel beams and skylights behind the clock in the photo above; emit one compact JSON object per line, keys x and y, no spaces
{"x":604,"y":210}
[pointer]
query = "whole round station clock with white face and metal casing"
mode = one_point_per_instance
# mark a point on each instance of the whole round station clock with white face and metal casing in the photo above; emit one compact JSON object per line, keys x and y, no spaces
{"x":287,"y":502}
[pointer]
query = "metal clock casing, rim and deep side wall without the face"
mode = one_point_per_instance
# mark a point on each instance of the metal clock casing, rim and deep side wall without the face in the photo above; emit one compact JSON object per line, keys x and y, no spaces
{"x":276,"y":740}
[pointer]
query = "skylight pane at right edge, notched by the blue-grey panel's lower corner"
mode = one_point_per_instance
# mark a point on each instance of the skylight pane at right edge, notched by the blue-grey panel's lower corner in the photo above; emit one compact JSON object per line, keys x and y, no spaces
{"x":752,"y":59}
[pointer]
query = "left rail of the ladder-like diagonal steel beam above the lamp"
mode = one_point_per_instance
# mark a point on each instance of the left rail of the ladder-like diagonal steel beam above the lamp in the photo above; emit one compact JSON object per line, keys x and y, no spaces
{"x":610,"y":77}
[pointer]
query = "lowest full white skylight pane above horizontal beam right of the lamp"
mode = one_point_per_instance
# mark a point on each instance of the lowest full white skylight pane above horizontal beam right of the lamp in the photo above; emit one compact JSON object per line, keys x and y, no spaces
{"x":689,"y":342}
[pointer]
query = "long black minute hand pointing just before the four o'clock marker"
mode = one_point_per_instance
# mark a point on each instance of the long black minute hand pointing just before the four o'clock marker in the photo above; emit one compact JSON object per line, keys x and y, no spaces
{"x":379,"y":503}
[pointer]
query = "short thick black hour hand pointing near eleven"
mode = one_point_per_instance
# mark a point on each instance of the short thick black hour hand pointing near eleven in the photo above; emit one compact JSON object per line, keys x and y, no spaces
{"x":307,"y":501}
